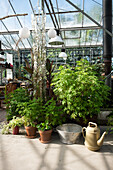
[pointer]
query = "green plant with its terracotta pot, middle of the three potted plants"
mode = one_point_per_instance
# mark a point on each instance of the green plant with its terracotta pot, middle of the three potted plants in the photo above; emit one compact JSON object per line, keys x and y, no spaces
{"x":31,"y":115}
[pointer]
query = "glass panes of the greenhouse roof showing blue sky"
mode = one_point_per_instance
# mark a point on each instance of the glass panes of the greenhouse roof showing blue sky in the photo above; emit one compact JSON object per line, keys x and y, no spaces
{"x":76,"y":29}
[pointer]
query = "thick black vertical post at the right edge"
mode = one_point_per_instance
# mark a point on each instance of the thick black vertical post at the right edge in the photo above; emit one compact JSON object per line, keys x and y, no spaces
{"x":107,"y":39}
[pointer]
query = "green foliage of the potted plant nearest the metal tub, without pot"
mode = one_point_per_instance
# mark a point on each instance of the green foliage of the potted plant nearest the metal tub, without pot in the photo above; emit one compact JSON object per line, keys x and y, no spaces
{"x":52,"y":115}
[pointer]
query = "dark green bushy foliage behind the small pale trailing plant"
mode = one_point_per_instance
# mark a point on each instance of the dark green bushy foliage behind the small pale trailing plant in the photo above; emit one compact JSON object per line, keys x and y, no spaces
{"x":13,"y":99}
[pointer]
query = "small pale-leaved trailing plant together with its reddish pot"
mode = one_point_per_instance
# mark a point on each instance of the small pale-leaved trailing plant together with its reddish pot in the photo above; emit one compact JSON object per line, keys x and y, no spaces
{"x":13,"y":124}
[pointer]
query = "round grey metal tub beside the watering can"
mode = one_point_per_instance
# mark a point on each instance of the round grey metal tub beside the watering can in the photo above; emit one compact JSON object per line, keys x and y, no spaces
{"x":69,"y":133}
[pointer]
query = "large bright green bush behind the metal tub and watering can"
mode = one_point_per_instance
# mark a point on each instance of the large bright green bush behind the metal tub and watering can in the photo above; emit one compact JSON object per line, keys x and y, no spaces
{"x":80,"y":90}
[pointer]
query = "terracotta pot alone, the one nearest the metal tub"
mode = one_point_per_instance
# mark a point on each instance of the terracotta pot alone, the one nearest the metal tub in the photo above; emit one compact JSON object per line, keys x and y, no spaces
{"x":45,"y":136}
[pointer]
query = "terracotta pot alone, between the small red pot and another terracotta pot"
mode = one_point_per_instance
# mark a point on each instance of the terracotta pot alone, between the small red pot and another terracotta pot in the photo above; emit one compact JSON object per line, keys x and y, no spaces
{"x":31,"y":131}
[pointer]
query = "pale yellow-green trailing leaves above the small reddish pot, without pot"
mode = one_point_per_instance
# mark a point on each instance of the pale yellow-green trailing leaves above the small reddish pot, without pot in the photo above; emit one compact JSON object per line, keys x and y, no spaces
{"x":16,"y":121}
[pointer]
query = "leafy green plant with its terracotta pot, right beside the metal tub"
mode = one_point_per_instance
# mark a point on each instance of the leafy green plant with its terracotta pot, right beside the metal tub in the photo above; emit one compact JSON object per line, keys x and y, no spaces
{"x":52,"y":116}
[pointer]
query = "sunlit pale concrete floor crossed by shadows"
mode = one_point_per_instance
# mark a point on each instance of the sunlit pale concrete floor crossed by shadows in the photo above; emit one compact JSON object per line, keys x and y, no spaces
{"x":20,"y":153}
